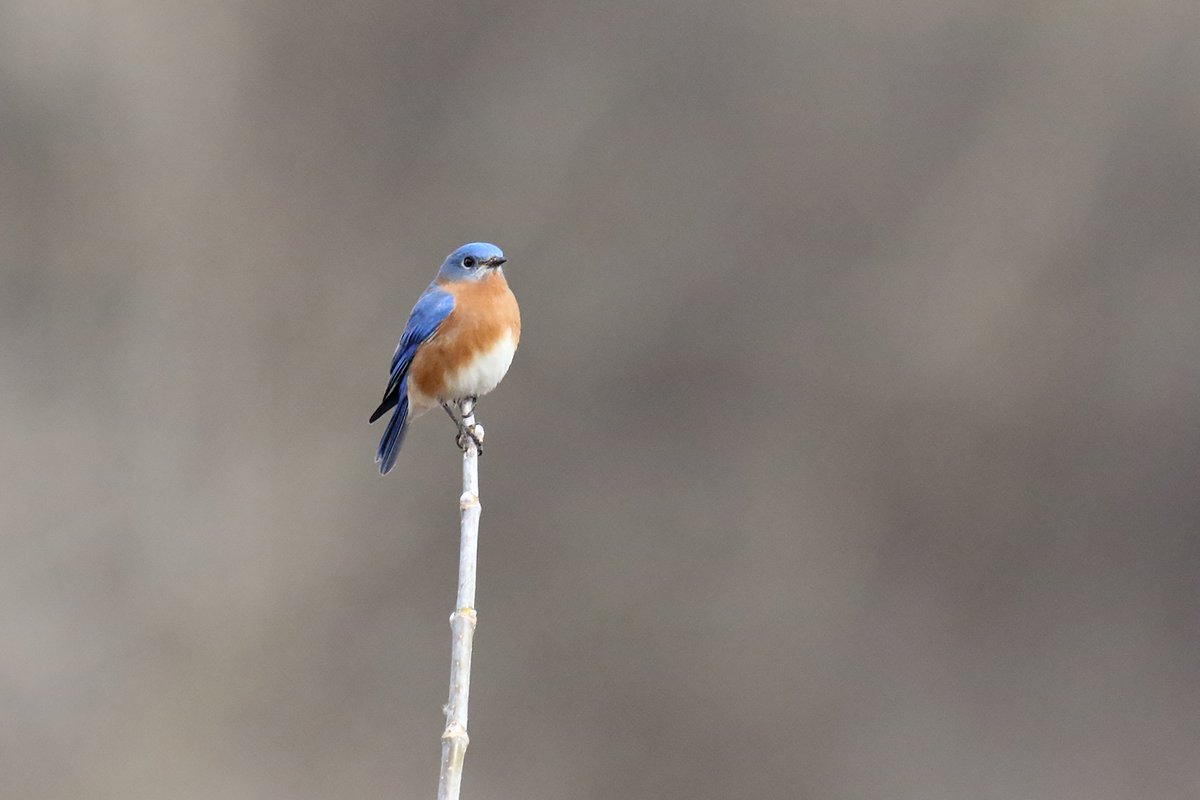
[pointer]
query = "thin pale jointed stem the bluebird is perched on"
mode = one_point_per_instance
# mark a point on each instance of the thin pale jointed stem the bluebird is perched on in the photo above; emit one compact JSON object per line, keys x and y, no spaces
{"x":463,"y":621}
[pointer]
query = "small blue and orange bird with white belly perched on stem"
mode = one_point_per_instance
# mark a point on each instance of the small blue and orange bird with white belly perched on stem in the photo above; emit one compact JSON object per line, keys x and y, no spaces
{"x":458,"y":345}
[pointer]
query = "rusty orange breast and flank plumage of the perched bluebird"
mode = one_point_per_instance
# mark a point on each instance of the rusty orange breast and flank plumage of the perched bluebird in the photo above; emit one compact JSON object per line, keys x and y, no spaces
{"x":484,"y":311}
